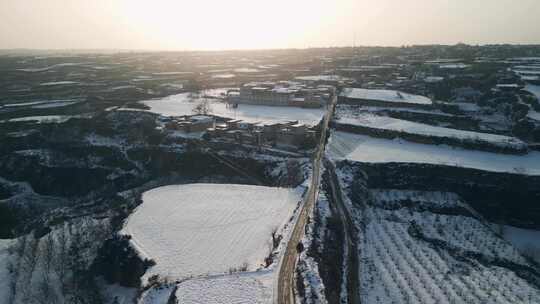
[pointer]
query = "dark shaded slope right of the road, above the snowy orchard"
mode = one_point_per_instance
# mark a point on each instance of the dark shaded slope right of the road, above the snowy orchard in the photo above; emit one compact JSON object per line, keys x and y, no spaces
{"x":499,"y":197}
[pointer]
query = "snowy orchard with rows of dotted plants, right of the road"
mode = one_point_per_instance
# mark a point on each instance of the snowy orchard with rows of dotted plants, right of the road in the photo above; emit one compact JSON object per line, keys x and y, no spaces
{"x":411,"y":256}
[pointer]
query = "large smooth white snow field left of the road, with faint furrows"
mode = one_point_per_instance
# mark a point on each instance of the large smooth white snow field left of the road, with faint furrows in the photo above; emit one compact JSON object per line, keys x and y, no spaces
{"x":202,"y":229}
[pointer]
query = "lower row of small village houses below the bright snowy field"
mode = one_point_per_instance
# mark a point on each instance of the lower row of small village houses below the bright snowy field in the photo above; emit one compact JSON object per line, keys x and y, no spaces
{"x":290,"y":134}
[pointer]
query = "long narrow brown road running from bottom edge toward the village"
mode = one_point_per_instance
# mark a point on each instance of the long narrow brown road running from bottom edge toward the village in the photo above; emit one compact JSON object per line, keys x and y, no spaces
{"x":285,"y":281}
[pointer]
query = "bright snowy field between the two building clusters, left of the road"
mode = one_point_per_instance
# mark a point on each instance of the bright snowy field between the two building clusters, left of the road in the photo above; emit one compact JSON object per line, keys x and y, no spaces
{"x":183,"y":104}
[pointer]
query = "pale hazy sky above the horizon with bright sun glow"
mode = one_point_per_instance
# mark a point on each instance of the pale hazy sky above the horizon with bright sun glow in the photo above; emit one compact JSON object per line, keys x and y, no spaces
{"x":241,"y":24}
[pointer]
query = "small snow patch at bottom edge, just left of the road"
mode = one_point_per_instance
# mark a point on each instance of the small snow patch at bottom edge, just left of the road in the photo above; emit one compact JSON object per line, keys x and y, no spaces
{"x":245,"y":288}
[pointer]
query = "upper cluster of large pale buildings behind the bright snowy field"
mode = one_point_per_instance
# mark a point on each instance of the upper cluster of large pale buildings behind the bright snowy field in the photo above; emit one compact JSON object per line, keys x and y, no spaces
{"x":282,"y":93}
